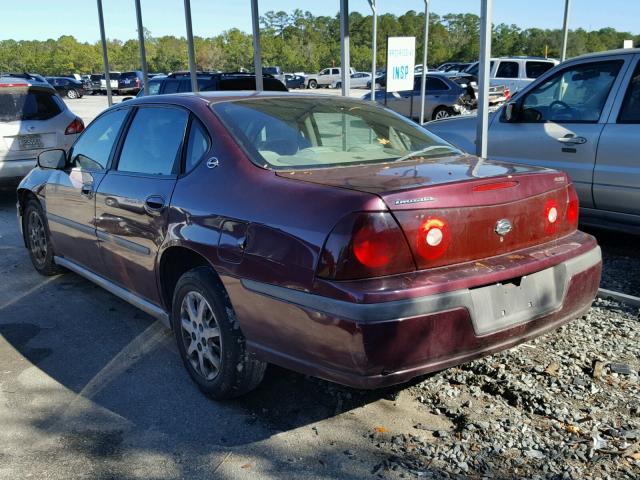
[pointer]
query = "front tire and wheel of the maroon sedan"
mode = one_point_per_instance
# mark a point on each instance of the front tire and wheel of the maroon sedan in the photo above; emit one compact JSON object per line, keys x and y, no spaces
{"x":38,"y":240}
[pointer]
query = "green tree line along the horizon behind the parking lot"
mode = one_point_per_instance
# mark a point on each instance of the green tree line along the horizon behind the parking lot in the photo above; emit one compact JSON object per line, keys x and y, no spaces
{"x":300,"y":41}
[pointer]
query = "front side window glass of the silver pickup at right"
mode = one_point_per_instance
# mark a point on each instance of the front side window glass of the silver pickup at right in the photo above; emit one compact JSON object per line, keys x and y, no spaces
{"x":574,"y":95}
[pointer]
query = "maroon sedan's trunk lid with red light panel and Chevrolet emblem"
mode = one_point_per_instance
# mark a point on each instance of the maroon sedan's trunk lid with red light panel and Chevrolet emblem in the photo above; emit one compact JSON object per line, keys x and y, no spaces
{"x":484,"y":208}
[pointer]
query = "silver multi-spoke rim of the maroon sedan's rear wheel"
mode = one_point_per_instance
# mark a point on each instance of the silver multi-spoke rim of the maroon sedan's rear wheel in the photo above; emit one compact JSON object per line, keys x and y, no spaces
{"x":200,"y":335}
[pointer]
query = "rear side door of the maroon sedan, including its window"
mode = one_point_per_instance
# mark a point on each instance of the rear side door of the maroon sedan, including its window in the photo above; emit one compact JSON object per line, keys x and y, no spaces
{"x":132,"y":200}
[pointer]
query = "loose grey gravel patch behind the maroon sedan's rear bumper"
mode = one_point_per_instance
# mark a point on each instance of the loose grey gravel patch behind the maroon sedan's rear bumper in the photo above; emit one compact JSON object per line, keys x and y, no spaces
{"x":564,"y":406}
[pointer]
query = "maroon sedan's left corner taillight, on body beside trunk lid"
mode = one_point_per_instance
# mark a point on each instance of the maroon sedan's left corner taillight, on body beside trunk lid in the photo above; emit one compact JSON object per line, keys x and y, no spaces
{"x":365,"y":245}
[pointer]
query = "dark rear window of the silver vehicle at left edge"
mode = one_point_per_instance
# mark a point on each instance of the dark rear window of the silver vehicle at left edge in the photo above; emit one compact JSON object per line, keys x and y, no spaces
{"x":22,"y":104}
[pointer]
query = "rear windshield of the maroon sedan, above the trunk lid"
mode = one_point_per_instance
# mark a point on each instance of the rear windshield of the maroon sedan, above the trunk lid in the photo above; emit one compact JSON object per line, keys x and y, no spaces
{"x":303,"y":133}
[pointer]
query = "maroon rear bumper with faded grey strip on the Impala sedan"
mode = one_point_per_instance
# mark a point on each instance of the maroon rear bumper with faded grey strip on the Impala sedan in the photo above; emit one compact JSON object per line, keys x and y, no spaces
{"x":371,"y":345}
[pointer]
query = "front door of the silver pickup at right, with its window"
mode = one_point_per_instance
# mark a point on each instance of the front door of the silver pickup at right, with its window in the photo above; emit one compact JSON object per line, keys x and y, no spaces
{"x":560,"y":122}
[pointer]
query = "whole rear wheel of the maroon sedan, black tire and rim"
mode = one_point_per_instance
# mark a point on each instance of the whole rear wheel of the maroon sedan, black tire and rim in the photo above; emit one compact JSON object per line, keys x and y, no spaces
{"x":212,"y":337}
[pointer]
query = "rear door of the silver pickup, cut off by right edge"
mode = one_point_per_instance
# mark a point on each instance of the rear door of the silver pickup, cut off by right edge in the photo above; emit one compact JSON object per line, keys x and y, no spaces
{"x":616,"y":177}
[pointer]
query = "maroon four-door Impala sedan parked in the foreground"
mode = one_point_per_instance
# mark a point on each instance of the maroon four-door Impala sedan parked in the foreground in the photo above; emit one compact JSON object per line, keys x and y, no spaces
{"x":326,"y":235}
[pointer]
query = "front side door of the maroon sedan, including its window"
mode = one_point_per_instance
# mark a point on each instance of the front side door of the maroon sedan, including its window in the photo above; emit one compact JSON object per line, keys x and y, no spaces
{"x":70,"y":193}
